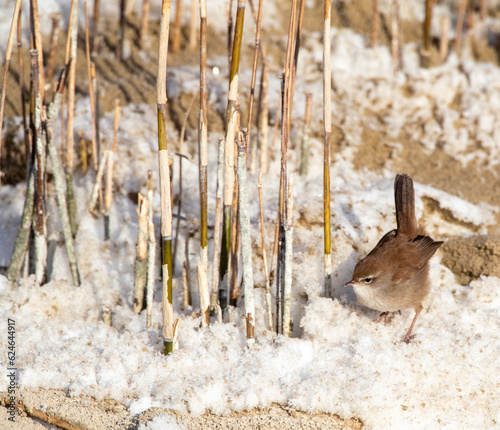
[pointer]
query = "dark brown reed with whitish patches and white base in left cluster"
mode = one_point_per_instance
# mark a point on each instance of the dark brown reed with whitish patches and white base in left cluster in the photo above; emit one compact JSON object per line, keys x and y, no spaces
{"x":40,"y":232}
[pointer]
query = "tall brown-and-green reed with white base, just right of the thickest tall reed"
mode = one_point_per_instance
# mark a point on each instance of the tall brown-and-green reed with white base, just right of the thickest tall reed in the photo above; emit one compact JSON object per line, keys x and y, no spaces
{"x":203,"y":175}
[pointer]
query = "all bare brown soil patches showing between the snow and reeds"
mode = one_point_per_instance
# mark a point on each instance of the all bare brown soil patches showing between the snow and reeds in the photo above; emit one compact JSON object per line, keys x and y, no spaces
{"x":134,"y":81}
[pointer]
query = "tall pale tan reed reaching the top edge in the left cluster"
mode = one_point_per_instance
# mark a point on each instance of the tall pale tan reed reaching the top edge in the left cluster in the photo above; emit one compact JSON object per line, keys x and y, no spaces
{"x":70,"y":137}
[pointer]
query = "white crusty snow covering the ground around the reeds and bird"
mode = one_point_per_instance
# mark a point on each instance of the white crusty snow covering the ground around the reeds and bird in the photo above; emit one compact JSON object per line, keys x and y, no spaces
{"x":339,"y":361}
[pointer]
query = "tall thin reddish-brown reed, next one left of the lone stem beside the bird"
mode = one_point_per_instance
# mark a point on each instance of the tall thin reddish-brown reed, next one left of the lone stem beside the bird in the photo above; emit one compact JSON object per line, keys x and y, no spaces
{"x":286,"y":108}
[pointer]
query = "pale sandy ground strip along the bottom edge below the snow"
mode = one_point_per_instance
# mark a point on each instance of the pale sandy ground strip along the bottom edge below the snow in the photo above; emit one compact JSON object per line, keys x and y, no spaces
{"x":40,"y":409}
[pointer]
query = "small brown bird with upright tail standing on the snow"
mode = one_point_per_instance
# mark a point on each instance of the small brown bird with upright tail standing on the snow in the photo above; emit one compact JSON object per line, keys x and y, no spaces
{"x":395,"y":274}
